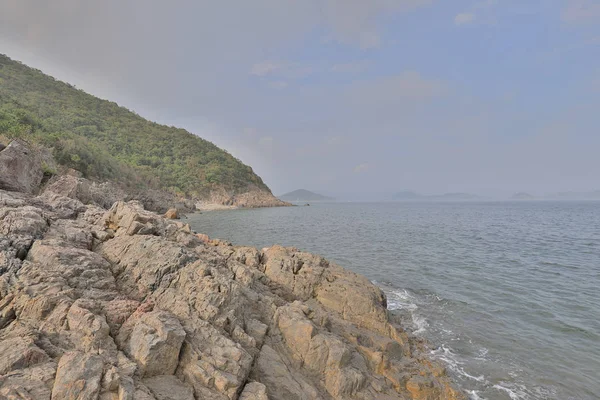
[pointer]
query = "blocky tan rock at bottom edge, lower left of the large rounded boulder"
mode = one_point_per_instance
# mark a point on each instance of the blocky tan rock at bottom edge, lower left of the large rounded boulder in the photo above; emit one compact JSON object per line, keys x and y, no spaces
{"x":78,"y":377}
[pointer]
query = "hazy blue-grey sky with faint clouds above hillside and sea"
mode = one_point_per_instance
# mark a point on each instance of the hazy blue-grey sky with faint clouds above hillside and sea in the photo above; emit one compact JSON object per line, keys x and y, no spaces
{"x":346,"y":96}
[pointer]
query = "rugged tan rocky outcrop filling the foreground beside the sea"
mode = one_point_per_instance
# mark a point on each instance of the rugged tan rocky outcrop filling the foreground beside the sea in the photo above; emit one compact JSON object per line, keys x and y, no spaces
{"x":125,"y":304}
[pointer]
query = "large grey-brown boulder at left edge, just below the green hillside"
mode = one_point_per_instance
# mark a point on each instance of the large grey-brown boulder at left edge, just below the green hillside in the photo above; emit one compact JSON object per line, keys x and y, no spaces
{"x":20,"y":168}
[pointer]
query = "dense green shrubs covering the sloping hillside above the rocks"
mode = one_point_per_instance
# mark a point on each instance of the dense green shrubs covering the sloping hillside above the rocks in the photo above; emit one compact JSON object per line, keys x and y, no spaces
{"x":108,"y":142}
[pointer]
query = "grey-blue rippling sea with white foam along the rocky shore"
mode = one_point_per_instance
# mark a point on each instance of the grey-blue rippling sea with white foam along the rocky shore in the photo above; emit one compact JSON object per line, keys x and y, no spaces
{"x":507,"y":293}
